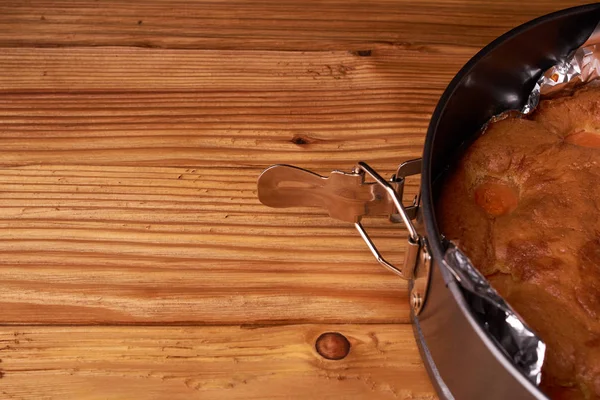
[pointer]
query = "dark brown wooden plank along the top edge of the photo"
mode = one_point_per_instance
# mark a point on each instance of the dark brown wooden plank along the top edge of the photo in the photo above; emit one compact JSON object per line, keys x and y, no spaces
{"x":268,"y":25}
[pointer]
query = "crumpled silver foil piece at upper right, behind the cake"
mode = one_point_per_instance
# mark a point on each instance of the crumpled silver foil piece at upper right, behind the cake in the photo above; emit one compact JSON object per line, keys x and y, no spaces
{"x":582,"y":66}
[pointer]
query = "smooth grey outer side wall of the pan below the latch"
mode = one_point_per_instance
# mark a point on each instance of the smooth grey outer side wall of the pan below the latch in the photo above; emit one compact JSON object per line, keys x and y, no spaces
{"x":463,"y":363}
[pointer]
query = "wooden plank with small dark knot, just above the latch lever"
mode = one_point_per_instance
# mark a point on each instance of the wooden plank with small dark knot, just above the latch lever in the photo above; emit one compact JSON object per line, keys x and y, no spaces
{"x":212,"y":109}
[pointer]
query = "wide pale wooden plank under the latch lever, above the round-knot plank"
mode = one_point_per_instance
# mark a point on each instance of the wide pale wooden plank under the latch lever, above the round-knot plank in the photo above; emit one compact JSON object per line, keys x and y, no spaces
{"x":171,"y":245}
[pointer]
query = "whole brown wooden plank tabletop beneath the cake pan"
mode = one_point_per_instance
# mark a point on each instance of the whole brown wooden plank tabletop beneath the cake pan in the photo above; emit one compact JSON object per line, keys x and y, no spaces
{"x":136,"y":260}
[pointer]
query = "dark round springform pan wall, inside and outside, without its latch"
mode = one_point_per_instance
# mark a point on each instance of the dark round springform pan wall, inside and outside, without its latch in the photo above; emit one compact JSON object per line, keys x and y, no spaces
{"x":461,"y":358}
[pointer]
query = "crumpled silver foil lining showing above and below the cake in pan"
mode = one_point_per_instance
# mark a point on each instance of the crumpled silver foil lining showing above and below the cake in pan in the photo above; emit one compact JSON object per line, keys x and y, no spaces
{"x":510,"y":332}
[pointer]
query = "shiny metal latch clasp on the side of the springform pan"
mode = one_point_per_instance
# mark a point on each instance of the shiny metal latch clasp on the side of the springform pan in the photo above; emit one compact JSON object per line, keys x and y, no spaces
{"x":349,"y":197}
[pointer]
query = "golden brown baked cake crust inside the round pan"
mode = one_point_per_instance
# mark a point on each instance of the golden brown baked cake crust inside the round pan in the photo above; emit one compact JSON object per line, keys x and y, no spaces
{"x":523,"y":203}
